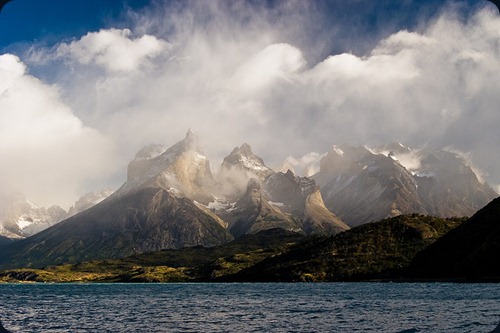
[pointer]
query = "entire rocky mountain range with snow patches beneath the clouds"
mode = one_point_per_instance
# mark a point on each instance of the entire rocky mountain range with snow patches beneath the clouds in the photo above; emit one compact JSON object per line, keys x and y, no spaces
{"x":171,"y":199}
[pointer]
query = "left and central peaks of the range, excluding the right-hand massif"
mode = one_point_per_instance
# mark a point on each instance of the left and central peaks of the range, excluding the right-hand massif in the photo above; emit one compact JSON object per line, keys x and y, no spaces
{"x":172,"y":200}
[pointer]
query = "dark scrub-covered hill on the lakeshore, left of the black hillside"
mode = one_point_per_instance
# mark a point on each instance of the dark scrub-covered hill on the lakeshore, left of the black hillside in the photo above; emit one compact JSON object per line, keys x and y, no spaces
{"x":377,"y":250}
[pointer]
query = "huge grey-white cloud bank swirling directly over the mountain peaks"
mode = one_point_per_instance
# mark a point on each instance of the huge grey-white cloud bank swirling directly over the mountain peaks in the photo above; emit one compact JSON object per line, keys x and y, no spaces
{"x":245,"y":78}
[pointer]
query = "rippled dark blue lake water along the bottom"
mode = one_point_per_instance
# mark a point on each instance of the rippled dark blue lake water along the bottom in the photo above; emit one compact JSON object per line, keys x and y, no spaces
{"x":329,"y":307}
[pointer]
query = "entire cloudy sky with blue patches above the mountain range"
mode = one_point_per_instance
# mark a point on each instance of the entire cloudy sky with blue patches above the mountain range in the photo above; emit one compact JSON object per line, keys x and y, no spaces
{"x":84,"y":84}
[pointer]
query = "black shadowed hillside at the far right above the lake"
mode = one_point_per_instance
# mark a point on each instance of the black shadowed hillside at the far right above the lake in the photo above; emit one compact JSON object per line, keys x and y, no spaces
{"x":471,"y":251}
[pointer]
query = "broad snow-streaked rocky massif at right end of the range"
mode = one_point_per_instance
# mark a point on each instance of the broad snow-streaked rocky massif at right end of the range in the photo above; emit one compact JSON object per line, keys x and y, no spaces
{"x":363,"y":184}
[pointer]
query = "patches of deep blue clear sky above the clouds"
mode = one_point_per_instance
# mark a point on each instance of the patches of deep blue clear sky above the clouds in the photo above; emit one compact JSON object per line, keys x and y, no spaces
{"x":50,"y":21}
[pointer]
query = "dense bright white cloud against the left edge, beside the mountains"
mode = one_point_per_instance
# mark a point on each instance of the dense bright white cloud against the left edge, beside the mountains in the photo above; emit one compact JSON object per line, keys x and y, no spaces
{"x":46,"y":151}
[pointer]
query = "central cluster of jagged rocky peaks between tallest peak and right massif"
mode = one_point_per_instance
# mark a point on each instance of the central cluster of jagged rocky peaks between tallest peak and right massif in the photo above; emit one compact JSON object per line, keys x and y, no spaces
{"x":257,"y":198}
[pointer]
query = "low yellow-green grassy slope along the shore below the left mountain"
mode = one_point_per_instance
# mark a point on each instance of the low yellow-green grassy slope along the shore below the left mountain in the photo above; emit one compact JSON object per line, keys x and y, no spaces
{"x":188,"y":264}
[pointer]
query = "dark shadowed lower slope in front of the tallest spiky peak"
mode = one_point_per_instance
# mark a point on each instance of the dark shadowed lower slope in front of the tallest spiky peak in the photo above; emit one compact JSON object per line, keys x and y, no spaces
{"x":148,"y":219}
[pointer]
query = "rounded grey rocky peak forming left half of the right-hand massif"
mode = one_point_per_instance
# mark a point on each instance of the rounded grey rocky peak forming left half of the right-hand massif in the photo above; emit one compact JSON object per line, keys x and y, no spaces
{"x":361,"y":186}
